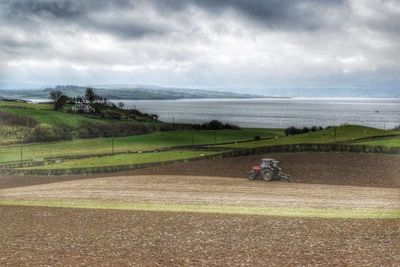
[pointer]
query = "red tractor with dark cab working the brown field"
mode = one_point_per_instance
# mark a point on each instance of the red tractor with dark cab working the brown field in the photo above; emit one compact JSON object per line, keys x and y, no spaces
{"x":268,"y":170}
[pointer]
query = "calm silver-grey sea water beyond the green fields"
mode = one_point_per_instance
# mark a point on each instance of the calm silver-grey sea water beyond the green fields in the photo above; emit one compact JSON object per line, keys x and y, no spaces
{"x":277,"y":112}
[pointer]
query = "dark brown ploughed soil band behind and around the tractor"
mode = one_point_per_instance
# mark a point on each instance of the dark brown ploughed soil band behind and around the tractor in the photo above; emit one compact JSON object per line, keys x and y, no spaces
{"x":323,"y":168}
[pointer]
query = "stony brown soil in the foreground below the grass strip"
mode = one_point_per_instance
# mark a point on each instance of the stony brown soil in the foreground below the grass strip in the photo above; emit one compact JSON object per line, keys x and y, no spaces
{"x":70,"y":237}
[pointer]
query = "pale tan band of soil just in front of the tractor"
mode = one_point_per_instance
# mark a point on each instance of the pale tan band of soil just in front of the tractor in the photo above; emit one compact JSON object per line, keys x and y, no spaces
{"x":212,"y":190}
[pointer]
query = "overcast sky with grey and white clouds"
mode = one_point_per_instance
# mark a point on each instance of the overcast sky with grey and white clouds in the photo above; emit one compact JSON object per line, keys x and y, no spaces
{"x":229,"y":44}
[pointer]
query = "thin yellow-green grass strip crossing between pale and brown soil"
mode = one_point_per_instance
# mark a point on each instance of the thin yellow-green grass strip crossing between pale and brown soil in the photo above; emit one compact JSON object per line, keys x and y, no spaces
{"x":223,"y":209}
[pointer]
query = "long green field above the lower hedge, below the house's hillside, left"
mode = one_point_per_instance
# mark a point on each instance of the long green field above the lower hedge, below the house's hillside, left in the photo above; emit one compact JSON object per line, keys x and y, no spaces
{"x":152,"y":141}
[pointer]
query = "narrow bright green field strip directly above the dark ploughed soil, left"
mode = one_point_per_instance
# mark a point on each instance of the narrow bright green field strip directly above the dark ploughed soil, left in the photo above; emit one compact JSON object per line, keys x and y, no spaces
{"x":125,"y":159}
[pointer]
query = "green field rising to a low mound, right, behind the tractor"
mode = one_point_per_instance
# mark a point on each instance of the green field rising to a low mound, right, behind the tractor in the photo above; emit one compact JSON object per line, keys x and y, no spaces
{"x":347,"y":133}
